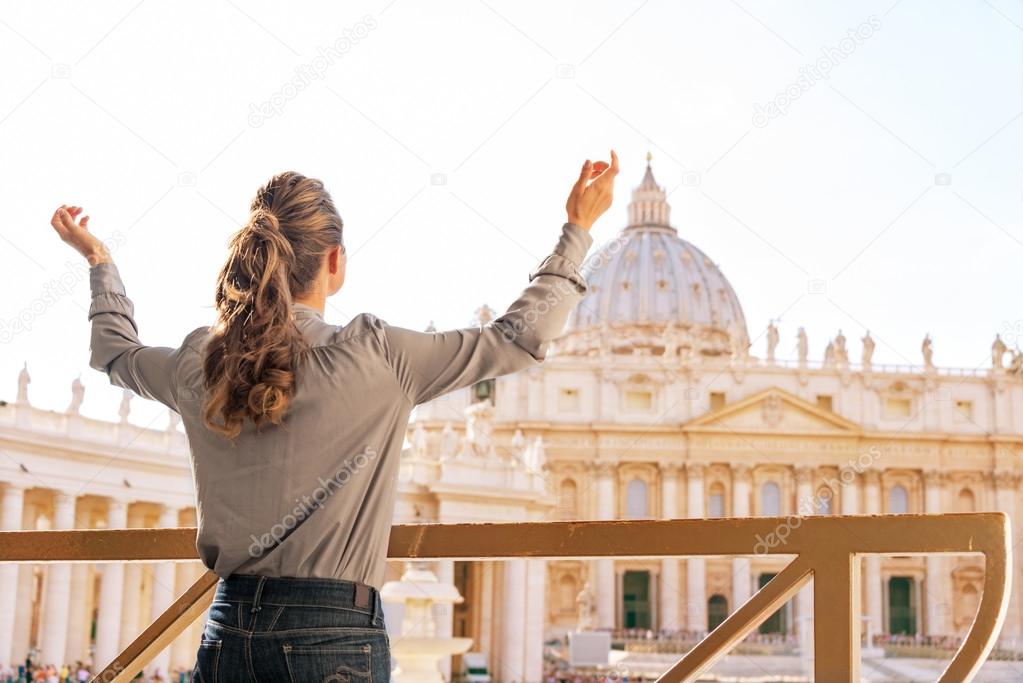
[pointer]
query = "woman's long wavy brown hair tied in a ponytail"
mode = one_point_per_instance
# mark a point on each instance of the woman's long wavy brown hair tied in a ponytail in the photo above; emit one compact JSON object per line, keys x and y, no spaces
{"x":251,"y":359}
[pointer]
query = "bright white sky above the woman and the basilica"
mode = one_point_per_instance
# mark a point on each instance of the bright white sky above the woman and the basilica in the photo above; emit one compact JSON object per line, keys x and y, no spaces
{"x":896,"y":185}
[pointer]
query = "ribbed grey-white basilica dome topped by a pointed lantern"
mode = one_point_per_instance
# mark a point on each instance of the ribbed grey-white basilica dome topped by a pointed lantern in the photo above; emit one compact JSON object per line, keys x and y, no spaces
{"x":652,"y":292}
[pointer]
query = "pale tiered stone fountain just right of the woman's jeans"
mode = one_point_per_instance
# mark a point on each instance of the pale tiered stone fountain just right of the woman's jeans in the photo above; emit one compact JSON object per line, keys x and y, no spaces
{"x":419,"y":652}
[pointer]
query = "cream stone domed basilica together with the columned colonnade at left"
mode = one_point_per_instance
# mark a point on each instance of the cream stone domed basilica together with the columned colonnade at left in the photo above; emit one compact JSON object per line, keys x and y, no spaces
{"x":651,"y":406}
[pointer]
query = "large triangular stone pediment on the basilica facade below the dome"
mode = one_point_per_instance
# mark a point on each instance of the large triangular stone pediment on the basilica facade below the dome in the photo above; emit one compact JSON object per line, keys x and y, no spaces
{"x":773,"y":411}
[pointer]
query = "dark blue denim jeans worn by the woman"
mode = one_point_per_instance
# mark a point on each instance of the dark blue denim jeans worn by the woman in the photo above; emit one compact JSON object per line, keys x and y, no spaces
{"x":298,"y":630}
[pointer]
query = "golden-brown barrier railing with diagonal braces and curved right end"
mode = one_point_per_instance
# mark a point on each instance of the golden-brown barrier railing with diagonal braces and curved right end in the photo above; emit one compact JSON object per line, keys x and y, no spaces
{"x":827,"y":551}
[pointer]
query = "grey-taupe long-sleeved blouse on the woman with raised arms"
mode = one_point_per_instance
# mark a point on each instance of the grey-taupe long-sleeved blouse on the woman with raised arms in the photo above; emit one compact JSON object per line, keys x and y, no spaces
{"x":315,"y":497}
